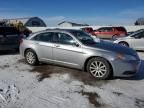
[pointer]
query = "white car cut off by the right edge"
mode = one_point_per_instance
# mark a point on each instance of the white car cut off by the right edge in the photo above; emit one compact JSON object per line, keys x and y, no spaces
{"x":134,"y":40}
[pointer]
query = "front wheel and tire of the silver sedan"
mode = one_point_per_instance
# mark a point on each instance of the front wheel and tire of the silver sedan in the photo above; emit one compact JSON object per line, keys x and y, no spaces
{"x":106,"y":74}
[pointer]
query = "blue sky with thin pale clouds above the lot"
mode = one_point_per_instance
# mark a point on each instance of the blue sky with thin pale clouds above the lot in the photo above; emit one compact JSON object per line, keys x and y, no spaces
{"x":93,"y":12}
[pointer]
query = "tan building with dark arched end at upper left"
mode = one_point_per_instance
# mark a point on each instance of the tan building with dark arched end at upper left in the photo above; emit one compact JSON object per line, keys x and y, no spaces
{"x":29,"y":22}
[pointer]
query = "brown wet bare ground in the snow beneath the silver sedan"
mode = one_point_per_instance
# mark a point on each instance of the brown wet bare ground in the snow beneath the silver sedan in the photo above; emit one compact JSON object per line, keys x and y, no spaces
{"x":45,"y":71}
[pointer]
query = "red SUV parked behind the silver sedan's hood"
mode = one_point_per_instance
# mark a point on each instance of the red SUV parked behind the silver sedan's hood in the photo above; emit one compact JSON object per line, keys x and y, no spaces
{"x":110,"y":32}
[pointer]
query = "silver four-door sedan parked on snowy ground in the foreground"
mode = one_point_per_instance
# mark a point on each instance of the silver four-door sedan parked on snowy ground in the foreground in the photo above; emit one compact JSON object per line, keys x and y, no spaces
{"x":77,"y":49}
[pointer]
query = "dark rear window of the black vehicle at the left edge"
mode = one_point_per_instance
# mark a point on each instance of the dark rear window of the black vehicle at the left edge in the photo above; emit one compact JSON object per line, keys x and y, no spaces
{"x":8,"y":30}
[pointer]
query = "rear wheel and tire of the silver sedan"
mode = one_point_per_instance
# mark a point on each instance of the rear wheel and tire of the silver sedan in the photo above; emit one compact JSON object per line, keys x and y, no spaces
{"x":31,"y":57}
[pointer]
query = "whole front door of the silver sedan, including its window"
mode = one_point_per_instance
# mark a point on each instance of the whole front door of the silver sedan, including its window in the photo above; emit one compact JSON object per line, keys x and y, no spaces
{"x":65,"y":51}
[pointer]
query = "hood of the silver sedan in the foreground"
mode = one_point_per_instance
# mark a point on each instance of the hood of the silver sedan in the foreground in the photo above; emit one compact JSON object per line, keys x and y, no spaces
{"x":113,"y":47}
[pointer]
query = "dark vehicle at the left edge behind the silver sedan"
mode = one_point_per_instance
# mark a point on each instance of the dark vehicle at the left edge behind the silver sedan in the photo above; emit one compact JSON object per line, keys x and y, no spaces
{"x":9,"y":38}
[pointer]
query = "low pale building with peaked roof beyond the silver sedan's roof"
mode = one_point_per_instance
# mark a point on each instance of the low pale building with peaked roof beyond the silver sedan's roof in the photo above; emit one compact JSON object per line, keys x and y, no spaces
{"x":70,"y":24}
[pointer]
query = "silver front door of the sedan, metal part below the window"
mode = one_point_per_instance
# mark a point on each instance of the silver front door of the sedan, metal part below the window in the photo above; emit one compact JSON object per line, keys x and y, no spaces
{"x":67,"y":54}
